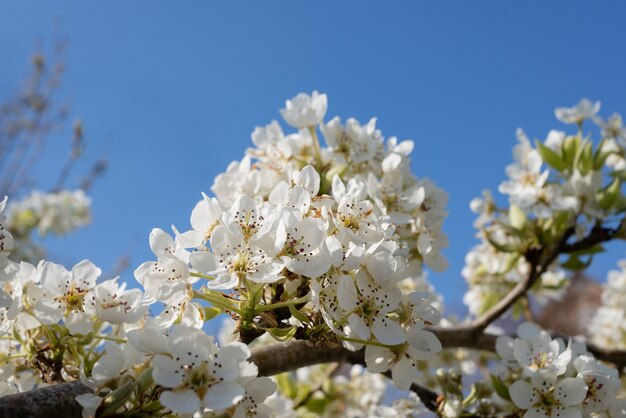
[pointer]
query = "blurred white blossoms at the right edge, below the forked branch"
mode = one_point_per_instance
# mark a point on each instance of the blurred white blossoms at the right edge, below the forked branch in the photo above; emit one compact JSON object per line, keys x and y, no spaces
{"x":608,"y":326}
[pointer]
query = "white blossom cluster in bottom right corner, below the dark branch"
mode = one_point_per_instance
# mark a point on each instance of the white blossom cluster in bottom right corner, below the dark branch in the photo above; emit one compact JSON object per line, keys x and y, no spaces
{"x":544,"y":377}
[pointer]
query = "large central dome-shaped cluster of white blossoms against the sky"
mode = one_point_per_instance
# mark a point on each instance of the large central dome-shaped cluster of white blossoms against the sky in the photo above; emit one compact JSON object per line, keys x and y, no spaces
{"x":336,"y":247}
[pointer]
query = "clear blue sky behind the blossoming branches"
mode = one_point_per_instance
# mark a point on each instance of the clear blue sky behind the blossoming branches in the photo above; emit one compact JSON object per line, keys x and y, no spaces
{"x":172,"y":90}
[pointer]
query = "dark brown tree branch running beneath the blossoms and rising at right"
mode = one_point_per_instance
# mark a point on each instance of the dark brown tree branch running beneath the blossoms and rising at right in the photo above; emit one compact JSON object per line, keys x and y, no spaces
{"x":58,"y":400}
